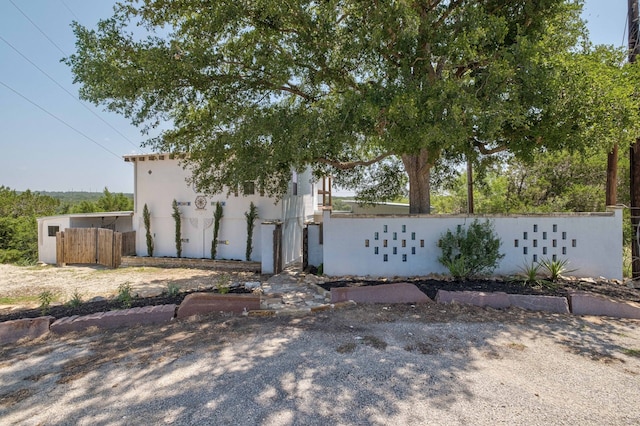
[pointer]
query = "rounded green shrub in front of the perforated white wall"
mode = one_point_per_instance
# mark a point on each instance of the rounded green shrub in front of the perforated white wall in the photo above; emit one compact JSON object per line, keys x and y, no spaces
{"x":470,"y":251}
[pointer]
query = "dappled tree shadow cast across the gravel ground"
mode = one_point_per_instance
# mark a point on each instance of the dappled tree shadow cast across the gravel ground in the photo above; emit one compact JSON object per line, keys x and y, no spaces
{"x":354,"y":366}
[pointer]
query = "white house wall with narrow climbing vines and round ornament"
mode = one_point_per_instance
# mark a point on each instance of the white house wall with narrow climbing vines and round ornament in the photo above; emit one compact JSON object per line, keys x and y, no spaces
{"x":159,"y":182}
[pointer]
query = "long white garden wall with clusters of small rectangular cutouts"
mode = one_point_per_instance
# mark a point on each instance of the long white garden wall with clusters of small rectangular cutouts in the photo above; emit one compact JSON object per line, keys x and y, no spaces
{"x":592,"y":243}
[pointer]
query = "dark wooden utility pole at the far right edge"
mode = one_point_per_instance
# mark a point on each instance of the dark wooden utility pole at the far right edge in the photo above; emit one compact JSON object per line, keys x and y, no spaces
{"x":634,"y":151}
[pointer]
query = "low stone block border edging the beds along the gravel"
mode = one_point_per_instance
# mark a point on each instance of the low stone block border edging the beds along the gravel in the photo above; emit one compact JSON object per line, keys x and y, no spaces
{"x":578,"y":303}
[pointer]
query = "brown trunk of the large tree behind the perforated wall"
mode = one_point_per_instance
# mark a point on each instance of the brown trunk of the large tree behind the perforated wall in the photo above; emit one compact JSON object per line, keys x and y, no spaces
{"x":418,"y":167}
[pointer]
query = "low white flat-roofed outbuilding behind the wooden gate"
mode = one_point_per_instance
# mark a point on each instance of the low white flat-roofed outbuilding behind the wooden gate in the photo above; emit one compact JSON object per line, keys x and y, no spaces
{"x":119,"y":221}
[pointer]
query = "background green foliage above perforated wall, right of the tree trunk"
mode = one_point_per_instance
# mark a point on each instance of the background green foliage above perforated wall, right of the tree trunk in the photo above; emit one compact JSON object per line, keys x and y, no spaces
{"x":552,"y":182}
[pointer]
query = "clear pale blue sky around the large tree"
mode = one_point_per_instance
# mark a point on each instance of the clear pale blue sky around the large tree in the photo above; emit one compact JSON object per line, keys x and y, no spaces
{"x":51,"y":141}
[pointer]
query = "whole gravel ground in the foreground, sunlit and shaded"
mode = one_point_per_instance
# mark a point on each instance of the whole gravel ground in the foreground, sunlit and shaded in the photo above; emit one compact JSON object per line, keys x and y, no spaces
{"x":370,"y":364}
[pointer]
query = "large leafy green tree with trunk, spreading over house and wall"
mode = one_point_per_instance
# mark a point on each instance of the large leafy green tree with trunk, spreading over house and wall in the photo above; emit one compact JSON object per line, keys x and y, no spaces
{"x":374,"y":93}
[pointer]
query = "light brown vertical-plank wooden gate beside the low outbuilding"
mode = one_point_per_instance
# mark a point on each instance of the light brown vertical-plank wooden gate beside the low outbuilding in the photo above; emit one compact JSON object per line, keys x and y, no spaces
{"x":93,"y":246}
